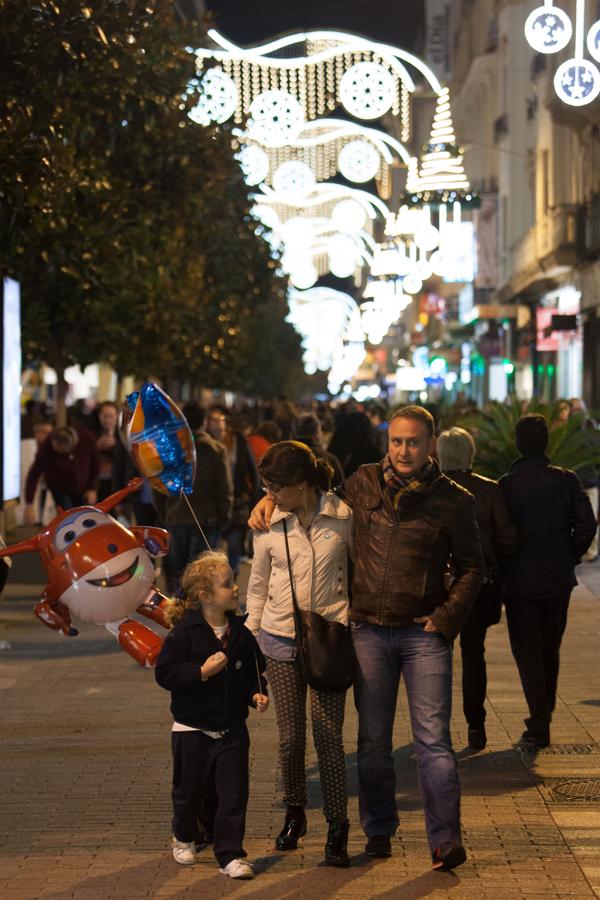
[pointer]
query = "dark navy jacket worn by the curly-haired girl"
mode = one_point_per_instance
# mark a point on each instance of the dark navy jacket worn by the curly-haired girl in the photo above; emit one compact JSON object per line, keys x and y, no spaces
{"x":221,"y":702}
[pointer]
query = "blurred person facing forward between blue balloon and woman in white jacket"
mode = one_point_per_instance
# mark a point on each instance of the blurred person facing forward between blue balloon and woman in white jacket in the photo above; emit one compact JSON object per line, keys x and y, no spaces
{"x":244,"y":476}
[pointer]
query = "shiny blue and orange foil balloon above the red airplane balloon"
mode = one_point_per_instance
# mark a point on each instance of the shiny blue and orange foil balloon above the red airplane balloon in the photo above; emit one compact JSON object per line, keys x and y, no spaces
{"x":157,"y":435}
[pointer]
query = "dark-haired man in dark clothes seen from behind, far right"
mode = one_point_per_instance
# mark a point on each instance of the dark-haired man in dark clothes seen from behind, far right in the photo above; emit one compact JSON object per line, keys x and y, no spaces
{"x":556,"y":525}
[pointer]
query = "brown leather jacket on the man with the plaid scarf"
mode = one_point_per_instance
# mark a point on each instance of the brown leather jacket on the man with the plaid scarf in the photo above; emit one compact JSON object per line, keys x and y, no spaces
{"x":401,"y":560}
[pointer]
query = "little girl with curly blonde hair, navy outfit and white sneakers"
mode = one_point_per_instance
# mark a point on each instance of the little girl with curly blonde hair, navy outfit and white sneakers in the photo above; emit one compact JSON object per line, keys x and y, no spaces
{"x":213,"y":667}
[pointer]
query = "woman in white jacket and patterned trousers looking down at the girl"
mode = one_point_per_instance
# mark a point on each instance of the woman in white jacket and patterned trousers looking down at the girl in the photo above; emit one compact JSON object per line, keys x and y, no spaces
{"x":319,"y":533}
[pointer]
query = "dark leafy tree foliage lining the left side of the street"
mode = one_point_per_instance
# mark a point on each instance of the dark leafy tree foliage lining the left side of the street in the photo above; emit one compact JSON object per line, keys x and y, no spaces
{"x":127,"y":223}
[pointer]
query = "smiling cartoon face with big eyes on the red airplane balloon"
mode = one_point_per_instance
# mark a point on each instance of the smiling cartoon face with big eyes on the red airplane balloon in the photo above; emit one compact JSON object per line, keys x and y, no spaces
{"x":95,"y":565}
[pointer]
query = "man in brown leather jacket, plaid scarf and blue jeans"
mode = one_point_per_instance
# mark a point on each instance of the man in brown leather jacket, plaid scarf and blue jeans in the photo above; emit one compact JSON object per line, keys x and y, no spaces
{"x":410,"y":523}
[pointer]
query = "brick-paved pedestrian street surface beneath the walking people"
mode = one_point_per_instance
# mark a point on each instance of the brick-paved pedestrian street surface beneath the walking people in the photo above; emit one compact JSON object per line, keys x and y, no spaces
{"x":85,"y":808}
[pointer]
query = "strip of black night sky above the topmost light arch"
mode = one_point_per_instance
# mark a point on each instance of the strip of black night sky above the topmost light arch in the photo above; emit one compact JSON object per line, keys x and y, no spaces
{"x":399,"y":22}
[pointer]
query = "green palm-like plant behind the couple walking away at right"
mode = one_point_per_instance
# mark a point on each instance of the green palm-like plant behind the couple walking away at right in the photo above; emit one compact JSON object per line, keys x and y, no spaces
{"x":493,"y":429}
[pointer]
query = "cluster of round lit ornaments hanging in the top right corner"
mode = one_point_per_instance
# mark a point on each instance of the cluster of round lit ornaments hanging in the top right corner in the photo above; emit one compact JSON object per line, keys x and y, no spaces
{"x":548,"y":30}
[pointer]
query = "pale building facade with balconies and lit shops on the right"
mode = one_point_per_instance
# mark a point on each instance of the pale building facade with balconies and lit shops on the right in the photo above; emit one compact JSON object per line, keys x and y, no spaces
{"x":533,"y":158}
